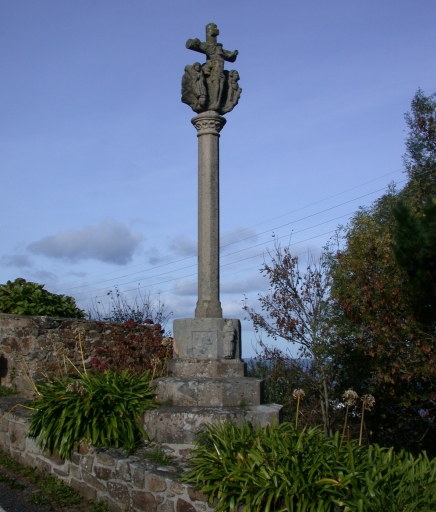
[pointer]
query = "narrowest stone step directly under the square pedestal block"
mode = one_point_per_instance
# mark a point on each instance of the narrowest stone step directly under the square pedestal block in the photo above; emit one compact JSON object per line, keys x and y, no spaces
{"x":203,"y":368}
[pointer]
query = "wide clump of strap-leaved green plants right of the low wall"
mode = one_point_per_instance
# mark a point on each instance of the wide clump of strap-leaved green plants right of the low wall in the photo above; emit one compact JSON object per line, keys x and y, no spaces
{"x":282,"y":469}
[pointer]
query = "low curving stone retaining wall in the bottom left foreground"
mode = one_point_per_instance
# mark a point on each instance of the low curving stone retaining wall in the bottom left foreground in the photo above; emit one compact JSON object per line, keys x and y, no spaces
{"x":126,"y":483}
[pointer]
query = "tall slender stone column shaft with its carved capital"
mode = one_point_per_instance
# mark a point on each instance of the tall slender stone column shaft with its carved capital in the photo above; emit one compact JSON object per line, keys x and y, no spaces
{"x":208,"y":125}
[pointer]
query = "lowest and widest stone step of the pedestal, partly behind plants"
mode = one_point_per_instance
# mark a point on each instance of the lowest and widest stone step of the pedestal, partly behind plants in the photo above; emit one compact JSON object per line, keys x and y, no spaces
{"x":181,"y":425}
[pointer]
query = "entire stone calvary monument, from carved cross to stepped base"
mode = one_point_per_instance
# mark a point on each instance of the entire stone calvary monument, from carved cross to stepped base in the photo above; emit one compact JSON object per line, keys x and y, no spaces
{"x":207,"y":381}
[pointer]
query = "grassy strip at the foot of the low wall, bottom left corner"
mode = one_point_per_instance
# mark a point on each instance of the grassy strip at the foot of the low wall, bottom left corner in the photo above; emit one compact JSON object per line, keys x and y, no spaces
{"x":50,"y":491}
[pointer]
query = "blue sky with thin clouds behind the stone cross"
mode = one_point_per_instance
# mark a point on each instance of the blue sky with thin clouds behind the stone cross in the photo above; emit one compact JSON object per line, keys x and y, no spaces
{"x":98,"y":160}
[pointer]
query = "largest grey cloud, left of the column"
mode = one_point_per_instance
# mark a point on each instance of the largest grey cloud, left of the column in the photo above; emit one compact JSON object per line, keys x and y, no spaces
{"x":110,"y":242}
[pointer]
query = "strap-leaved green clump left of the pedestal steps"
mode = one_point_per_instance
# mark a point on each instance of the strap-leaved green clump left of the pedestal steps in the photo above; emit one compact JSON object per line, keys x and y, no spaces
{"x":101,"y":408}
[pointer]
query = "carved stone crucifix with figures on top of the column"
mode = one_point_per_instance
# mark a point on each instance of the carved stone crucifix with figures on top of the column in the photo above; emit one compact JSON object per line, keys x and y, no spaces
{"x":222,"y":89}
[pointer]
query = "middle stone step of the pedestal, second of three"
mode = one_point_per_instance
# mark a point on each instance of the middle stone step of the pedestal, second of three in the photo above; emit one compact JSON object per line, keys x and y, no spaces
{"x":217,"y":392}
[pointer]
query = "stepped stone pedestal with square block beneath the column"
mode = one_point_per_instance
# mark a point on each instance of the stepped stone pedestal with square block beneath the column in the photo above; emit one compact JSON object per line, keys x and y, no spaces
{"x":206,"y":383}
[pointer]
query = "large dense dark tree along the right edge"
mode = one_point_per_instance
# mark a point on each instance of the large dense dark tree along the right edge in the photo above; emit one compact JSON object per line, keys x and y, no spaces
{"x":383,"y":289}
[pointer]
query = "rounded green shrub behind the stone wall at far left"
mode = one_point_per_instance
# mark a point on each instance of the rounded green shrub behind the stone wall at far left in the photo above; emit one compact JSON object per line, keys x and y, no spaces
{"x":23,"y":298}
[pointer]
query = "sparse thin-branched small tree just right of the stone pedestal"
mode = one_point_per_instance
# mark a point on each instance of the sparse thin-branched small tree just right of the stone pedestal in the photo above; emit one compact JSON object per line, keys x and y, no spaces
{"x":297,"y":309}
